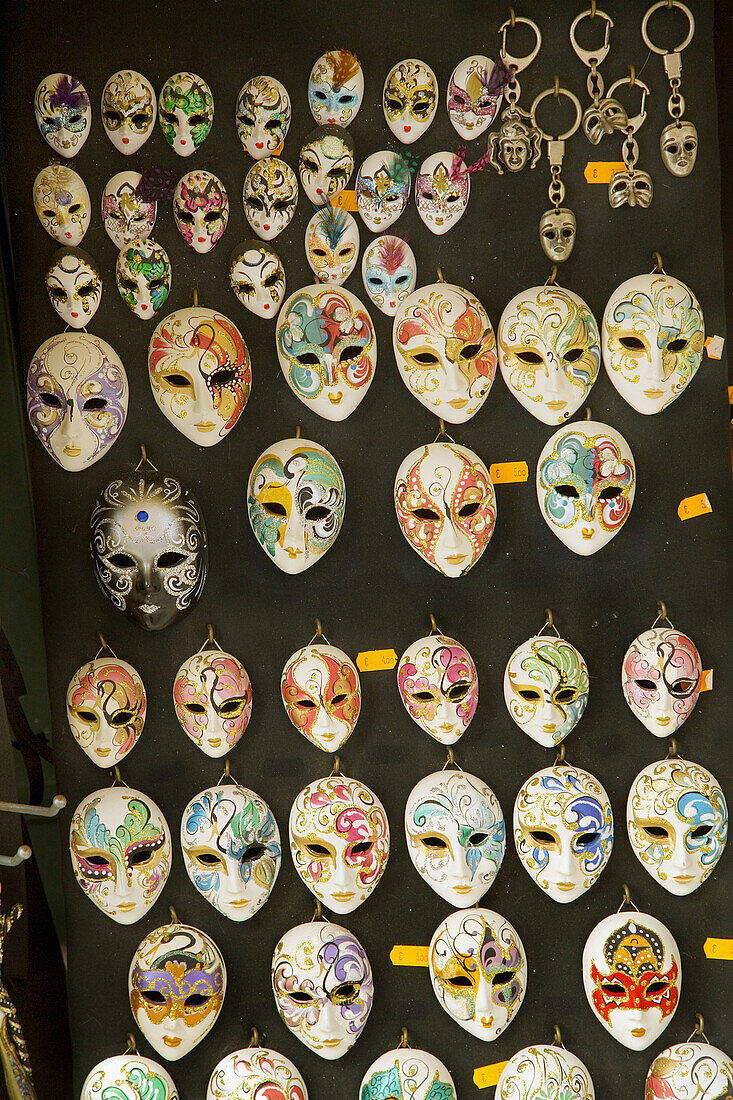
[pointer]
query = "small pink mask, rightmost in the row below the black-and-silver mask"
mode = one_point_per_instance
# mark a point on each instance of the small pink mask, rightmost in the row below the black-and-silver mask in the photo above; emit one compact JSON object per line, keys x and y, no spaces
{"x":662,"y":676}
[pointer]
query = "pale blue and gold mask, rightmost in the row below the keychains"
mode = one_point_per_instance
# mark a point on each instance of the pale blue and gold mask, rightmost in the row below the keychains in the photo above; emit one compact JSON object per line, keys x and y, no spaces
{"x":653,"y":340}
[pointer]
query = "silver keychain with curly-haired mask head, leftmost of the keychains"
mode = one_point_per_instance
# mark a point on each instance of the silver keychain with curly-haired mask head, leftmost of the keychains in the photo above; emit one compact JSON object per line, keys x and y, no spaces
{"x":518,"y":142}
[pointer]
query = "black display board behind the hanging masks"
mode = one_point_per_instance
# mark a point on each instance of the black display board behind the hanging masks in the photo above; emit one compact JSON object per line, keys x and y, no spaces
{"x":373,"y":590}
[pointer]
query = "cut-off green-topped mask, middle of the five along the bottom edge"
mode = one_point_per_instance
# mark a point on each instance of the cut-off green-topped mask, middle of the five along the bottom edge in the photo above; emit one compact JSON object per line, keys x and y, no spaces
{"x":408,"y":1073}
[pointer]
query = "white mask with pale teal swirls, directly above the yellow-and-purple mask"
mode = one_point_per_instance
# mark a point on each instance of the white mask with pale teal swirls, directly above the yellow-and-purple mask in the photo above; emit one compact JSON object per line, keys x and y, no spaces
{"x":456,"y":835}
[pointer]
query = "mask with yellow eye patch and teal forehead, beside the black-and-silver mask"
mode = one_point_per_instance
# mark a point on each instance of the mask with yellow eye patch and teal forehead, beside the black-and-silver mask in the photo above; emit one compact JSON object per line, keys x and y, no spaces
{"x":297,"y":500}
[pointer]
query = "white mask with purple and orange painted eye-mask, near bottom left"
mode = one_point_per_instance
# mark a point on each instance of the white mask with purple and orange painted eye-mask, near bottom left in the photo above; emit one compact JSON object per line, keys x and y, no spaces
{"x":177,"y":984}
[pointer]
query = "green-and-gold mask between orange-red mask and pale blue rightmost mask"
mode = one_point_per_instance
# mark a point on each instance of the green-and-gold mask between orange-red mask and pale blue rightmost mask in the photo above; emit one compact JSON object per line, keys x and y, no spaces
{"x":550,"y":351}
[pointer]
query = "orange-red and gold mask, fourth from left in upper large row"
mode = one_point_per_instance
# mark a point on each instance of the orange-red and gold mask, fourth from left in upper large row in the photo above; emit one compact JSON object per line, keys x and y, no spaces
{"x":446,"y":350}
